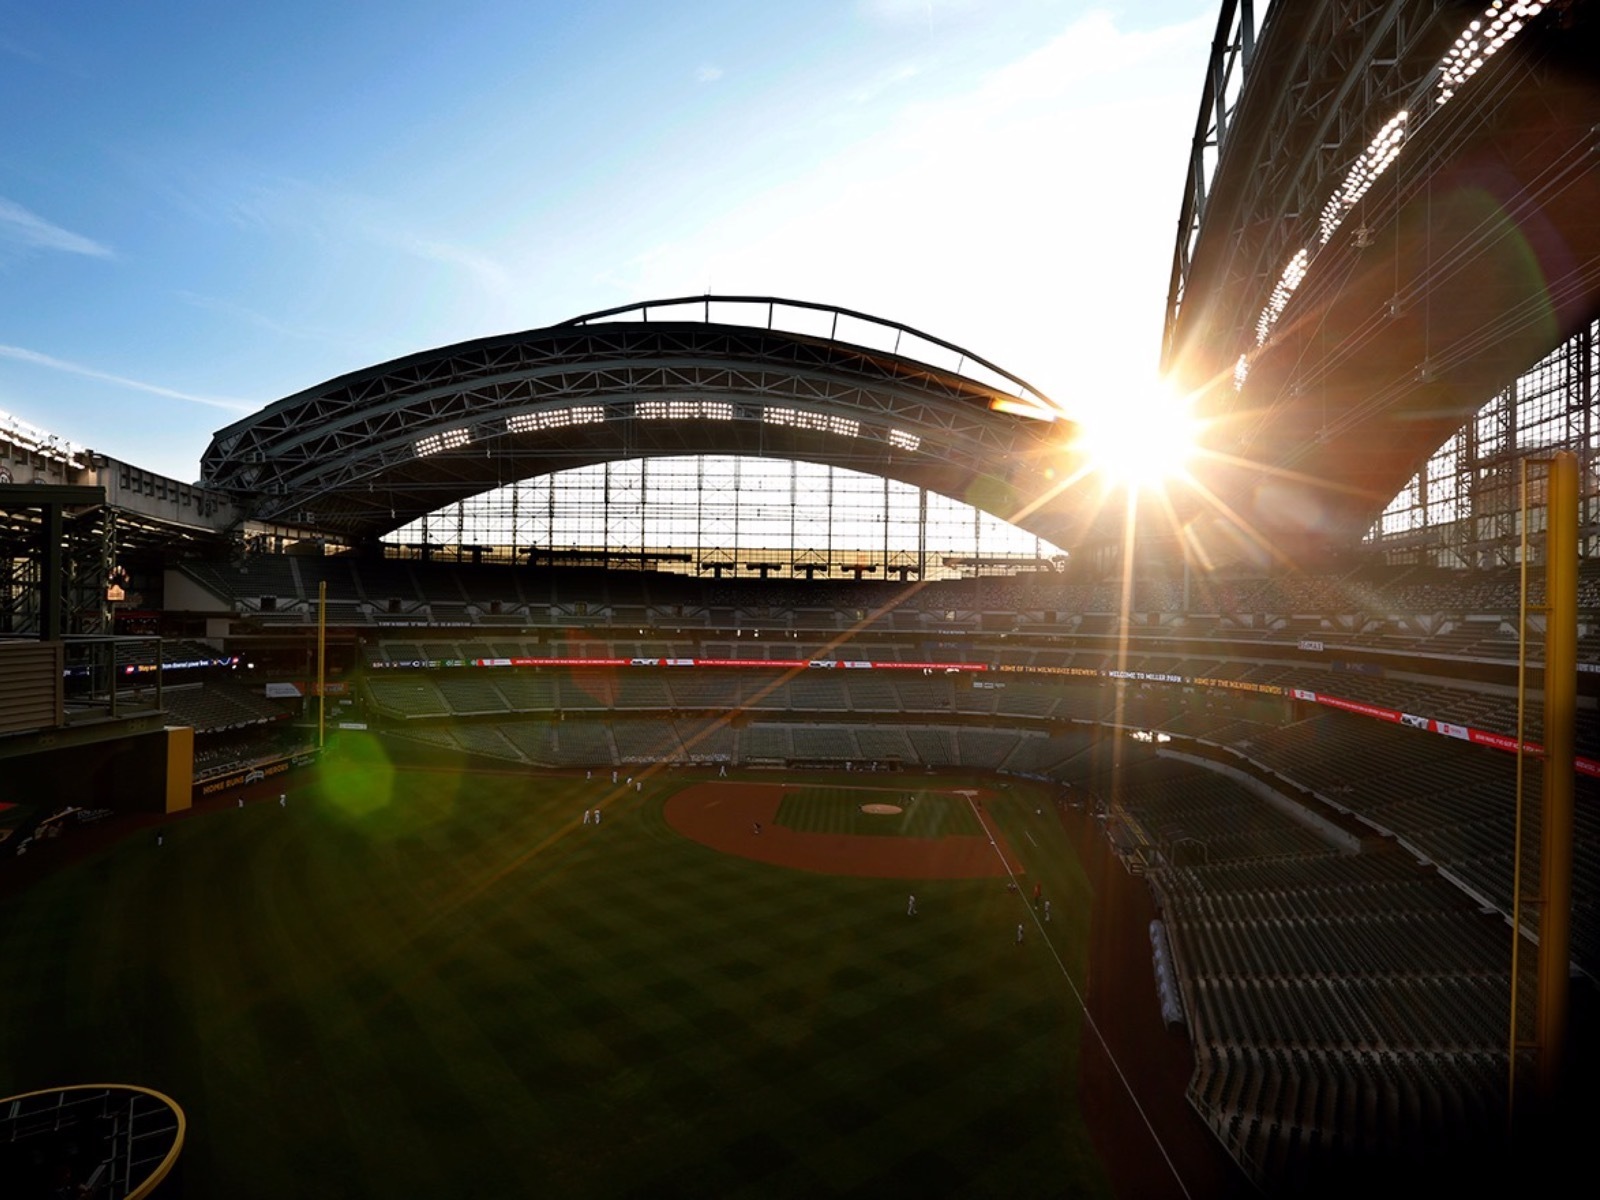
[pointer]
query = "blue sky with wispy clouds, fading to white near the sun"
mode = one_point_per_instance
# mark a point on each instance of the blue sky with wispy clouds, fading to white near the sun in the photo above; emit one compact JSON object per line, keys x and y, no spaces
{"x":209,"y":207}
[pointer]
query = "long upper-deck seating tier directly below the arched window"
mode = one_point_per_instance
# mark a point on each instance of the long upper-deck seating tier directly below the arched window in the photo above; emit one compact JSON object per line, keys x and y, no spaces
{"x":1417,"y":612}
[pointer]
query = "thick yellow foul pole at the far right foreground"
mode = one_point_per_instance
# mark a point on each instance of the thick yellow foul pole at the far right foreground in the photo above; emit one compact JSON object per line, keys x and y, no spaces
{"x":1561,"y":708}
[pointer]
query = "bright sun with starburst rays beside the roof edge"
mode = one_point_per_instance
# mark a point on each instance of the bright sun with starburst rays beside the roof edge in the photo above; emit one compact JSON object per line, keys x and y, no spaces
{"x":1140,"y":441}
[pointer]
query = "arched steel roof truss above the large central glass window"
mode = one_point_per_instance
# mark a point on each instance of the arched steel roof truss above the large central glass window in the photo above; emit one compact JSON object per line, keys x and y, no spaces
{"x":369,"y":452}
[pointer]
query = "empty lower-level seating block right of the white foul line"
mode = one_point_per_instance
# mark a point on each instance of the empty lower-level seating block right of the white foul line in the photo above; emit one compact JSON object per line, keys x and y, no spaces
{"x":1342,"y":1004}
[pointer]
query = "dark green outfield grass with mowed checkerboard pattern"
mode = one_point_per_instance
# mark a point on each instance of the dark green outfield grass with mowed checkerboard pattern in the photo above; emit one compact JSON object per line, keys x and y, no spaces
{"x":442,"y":985}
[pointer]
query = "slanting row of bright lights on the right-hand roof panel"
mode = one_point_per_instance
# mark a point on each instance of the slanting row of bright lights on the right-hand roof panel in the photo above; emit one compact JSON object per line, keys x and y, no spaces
{"x":1479,"y":42}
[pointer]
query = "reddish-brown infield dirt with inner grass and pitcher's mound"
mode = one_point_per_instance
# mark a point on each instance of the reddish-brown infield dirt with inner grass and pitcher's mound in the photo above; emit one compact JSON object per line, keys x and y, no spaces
{"x":834,"y":830}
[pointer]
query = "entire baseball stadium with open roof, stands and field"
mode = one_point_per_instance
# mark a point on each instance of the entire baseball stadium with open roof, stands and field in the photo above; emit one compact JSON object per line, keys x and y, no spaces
{"x":740,"y":746}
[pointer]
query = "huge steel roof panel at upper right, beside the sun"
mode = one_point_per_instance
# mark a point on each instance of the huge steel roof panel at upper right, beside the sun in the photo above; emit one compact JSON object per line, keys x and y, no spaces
{"x":1343,"y":321}
